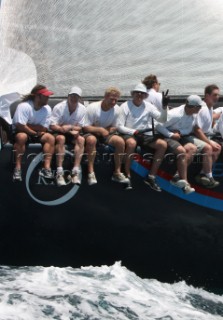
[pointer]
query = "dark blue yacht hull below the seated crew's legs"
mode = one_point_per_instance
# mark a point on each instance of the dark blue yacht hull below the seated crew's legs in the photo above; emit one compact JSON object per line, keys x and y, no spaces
{"x":157,"y":235}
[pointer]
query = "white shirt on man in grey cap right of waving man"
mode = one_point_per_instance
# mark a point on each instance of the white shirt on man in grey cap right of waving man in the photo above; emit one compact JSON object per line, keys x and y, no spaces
{"x":177,"y":120}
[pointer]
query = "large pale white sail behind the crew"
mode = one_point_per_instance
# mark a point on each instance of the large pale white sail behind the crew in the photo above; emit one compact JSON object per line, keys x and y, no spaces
{"x":99,"y":43}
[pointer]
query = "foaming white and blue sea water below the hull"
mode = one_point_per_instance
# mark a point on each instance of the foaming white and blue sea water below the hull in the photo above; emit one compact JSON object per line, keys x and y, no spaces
{"x":95,"y":293}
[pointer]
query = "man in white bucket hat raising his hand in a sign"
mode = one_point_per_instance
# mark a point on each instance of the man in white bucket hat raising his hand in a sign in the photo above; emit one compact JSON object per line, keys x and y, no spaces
{"x":136,"y":115}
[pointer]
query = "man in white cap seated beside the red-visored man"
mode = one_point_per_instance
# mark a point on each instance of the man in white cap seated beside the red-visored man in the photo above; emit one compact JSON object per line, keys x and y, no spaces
{"x":66,"y":122}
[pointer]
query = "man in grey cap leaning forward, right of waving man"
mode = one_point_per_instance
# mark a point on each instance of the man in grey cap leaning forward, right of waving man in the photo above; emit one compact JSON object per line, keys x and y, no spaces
{"x":178,"y":130}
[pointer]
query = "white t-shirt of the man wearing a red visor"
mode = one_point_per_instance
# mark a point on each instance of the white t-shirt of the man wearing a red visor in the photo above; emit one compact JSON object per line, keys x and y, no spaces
{"x":26,"y":114}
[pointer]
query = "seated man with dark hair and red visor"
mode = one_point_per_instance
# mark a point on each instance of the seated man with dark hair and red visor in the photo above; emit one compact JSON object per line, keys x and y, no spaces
{"x":30,"y":123}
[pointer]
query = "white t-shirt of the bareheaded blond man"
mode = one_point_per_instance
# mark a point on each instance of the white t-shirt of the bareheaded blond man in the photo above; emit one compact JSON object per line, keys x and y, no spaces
{"x":95,"y":116}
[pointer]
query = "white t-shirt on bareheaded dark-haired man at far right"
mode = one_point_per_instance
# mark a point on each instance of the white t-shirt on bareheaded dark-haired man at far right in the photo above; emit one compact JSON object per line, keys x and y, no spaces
{"x":204,"y":119}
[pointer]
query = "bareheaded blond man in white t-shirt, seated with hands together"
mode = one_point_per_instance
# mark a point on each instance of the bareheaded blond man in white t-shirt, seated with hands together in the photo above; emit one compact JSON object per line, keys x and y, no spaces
{"x":100,"y":125}
